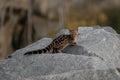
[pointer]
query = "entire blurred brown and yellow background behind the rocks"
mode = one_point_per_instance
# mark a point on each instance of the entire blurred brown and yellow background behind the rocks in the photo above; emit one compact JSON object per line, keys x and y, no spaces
{"x":23,"y":22}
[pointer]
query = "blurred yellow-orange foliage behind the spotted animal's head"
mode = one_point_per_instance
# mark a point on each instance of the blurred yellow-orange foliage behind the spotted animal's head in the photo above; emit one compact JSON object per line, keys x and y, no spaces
{"x":85,"y":18}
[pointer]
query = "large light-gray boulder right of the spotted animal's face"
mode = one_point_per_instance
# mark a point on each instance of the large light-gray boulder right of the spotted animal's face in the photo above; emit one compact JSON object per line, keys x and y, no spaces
{"x":103,"y":43}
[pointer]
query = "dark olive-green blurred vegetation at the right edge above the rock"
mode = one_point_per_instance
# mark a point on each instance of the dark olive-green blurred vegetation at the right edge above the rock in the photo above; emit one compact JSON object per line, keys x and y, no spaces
{"x":113,"y":15}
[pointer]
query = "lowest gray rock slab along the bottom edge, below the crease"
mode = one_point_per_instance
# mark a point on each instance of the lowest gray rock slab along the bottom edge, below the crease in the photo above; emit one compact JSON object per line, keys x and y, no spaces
{"x":88,"y":74}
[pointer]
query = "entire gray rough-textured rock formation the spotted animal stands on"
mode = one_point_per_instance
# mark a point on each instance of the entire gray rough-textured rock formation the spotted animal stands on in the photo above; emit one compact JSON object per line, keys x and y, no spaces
{"x":95,"y":57}
